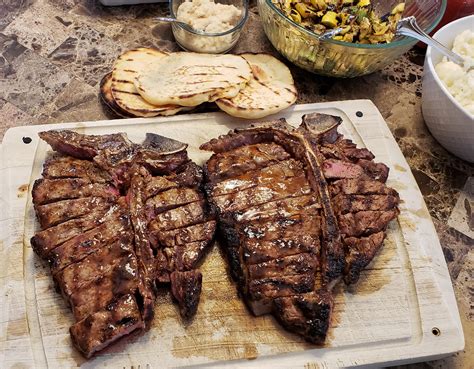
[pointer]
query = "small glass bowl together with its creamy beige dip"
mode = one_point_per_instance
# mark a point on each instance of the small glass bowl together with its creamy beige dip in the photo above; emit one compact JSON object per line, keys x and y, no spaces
{"x":215,"y":25}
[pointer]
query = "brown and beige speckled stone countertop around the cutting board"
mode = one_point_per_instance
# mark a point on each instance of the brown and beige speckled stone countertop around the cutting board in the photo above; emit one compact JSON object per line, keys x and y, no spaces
{"x":53,"y":54}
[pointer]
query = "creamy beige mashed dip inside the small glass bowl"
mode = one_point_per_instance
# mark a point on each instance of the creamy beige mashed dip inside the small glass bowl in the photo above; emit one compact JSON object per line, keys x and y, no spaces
{"x":209,"y":17}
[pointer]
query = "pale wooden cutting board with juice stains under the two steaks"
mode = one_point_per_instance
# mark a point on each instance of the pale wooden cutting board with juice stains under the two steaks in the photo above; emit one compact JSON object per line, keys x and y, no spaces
{"x":403,"y":308}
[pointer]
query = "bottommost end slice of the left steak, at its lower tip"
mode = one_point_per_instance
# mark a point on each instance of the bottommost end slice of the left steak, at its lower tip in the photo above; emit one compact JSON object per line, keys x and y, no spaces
{"x":106,"y":326}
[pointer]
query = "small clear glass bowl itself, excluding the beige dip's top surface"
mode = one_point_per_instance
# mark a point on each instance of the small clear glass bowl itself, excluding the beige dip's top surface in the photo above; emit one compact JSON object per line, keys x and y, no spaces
{"x":203,"y":42}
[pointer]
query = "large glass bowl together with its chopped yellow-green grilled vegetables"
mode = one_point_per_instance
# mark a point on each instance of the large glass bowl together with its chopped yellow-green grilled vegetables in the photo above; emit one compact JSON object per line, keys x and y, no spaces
{"x":344,"y":38}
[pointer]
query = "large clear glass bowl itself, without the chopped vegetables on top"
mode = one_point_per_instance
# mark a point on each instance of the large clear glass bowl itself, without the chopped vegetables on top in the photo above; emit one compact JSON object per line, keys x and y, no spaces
{"x":342,"y":59}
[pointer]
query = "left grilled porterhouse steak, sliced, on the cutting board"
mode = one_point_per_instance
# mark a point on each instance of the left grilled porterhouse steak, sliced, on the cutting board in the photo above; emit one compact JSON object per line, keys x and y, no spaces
{"x":117,"y":219}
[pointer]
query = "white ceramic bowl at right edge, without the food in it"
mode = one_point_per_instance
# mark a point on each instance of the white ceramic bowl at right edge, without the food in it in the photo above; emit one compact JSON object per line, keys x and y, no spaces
{"x":446,"y":119}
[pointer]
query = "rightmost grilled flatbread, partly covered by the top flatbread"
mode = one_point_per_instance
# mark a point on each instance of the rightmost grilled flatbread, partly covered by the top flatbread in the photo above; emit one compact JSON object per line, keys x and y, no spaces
{"x":270,"y":90}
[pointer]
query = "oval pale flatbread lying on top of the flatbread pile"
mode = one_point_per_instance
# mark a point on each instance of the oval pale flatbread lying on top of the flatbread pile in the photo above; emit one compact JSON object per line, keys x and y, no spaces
{"x":189,"y":79}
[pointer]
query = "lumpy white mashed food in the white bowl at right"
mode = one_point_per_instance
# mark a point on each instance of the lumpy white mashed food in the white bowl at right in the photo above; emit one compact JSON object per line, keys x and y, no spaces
{"x":458,"y":80}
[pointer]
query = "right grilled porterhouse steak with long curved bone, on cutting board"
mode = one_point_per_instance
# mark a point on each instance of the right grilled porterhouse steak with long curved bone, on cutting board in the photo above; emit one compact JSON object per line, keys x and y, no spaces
{"x":298,"y":209}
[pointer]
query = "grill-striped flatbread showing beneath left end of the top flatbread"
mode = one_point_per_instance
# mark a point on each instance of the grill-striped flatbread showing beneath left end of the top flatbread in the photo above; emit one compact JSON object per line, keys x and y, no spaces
{"x":124,"y":73}
